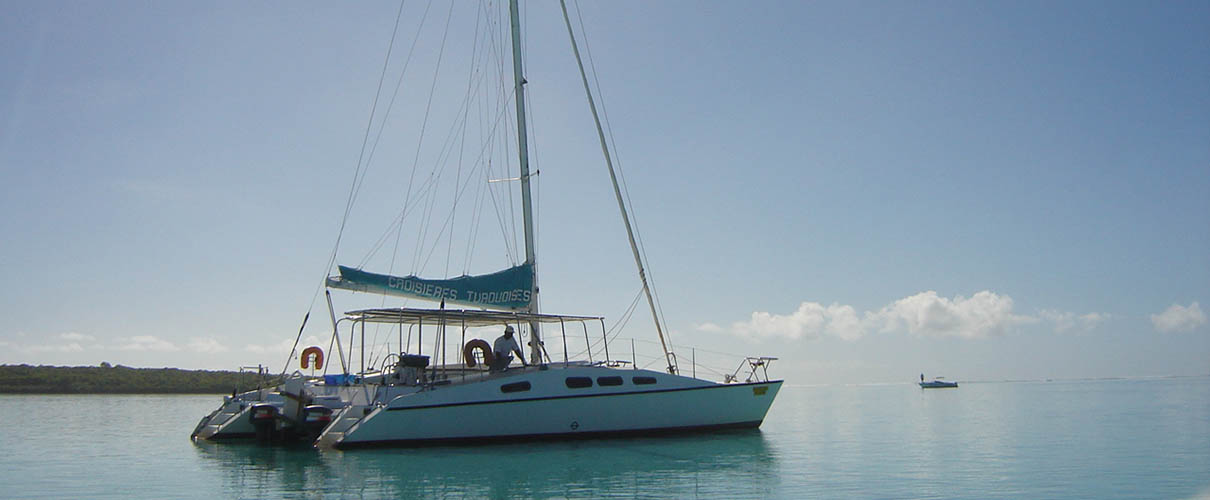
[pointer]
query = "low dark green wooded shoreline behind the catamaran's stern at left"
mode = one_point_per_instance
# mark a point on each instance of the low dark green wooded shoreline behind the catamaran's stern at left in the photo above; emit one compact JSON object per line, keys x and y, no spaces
{"x":26,"y":380}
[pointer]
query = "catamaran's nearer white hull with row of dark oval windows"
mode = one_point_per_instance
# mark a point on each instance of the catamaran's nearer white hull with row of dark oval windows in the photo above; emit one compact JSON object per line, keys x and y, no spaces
{"x":560,"y":404}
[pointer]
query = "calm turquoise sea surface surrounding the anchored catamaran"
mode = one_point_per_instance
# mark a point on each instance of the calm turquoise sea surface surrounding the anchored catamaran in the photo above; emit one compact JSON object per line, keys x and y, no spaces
{"x":1113,"y":439}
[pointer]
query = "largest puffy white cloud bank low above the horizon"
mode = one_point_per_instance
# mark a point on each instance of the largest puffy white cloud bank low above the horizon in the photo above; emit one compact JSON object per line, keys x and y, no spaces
{"x":924,"y":314}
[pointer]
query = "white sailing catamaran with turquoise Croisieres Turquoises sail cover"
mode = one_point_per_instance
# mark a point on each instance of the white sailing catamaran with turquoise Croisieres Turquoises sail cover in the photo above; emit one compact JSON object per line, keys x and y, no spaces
{"x":418,"y":399}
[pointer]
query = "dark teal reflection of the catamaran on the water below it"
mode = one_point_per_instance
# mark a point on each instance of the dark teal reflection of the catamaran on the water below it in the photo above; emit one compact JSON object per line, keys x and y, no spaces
{"x":713,"y":467}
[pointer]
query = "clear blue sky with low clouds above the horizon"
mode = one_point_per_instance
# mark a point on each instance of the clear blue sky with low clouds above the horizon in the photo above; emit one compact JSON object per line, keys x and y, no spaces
{"x":868,"y":191}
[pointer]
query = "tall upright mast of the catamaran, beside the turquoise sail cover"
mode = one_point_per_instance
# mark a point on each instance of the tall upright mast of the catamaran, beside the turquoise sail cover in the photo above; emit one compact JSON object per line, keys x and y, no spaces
{"x":523,"y":151}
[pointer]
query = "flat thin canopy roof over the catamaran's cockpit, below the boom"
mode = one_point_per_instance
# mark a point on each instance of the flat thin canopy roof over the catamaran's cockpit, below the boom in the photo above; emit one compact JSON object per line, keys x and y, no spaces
{"x":458,"y":317}
